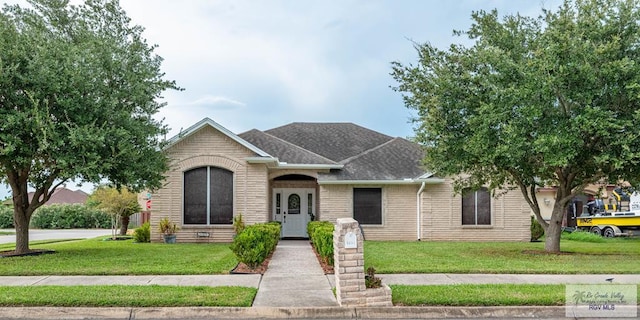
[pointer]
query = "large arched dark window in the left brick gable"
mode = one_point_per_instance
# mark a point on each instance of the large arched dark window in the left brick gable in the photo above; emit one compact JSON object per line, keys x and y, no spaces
{"x":208,"y":196}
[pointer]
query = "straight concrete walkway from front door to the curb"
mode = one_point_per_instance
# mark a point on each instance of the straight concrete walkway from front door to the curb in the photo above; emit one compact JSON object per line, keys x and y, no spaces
{"x":294,"y":279}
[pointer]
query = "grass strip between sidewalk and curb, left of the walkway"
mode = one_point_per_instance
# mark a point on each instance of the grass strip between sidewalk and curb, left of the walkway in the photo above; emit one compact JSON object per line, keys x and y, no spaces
{"x":126,"y":296}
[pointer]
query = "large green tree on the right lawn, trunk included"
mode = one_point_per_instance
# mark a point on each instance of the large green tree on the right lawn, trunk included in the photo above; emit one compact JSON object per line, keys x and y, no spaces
{"x":552,"y":100}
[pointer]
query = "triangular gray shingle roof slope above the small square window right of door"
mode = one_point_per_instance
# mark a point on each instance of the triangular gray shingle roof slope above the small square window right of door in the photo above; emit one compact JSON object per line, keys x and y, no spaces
{"x":397,"y":159}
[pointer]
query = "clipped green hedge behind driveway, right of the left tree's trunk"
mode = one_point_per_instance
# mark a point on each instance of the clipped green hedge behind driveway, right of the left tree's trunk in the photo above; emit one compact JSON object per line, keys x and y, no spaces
{"x":69,"y":216}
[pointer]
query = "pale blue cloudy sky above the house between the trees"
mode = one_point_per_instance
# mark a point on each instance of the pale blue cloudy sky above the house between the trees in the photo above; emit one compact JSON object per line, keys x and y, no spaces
{"x":263,"y":64}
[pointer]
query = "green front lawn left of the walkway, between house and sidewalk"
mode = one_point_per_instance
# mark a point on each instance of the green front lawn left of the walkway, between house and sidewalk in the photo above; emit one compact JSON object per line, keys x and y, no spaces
{"x":97,"y":257}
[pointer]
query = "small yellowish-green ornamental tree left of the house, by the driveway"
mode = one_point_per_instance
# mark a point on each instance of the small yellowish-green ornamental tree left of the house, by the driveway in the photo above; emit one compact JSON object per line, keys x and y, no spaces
{"x":120,"y":204}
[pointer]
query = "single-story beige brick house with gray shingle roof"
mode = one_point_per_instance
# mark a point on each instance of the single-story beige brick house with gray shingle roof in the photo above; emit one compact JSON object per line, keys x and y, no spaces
{"x":325,"y":171}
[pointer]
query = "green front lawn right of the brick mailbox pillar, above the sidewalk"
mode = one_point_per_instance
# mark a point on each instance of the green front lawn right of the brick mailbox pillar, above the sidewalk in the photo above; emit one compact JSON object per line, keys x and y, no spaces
{"x":610,"y":256}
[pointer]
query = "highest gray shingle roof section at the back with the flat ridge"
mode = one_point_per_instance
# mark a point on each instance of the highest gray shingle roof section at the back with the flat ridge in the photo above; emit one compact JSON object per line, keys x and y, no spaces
{"x":334,"y":141}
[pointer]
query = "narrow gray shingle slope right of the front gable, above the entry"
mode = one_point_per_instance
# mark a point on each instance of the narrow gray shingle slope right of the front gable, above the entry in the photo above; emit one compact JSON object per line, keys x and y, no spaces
{"x":283,"y":150}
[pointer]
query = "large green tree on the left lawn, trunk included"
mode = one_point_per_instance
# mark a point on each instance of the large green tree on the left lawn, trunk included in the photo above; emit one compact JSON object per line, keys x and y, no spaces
{"x":78,"y":88}
